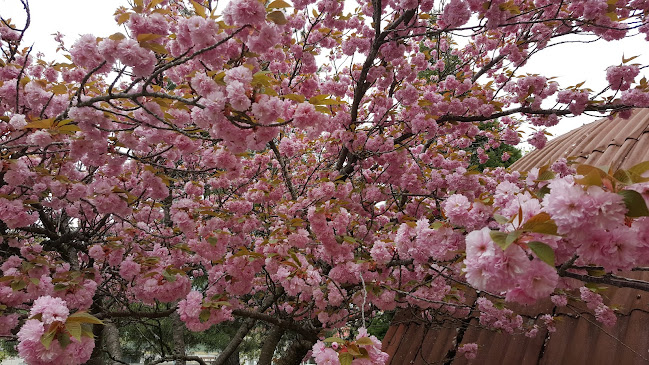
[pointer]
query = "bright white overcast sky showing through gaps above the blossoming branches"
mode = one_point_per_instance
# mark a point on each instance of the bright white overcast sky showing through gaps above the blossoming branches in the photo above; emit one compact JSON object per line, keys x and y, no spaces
{"x":570,"y":63}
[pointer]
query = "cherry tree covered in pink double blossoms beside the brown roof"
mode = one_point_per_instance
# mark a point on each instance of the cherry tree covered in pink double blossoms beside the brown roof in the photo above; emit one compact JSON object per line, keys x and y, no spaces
{"x":287,"y":165}
